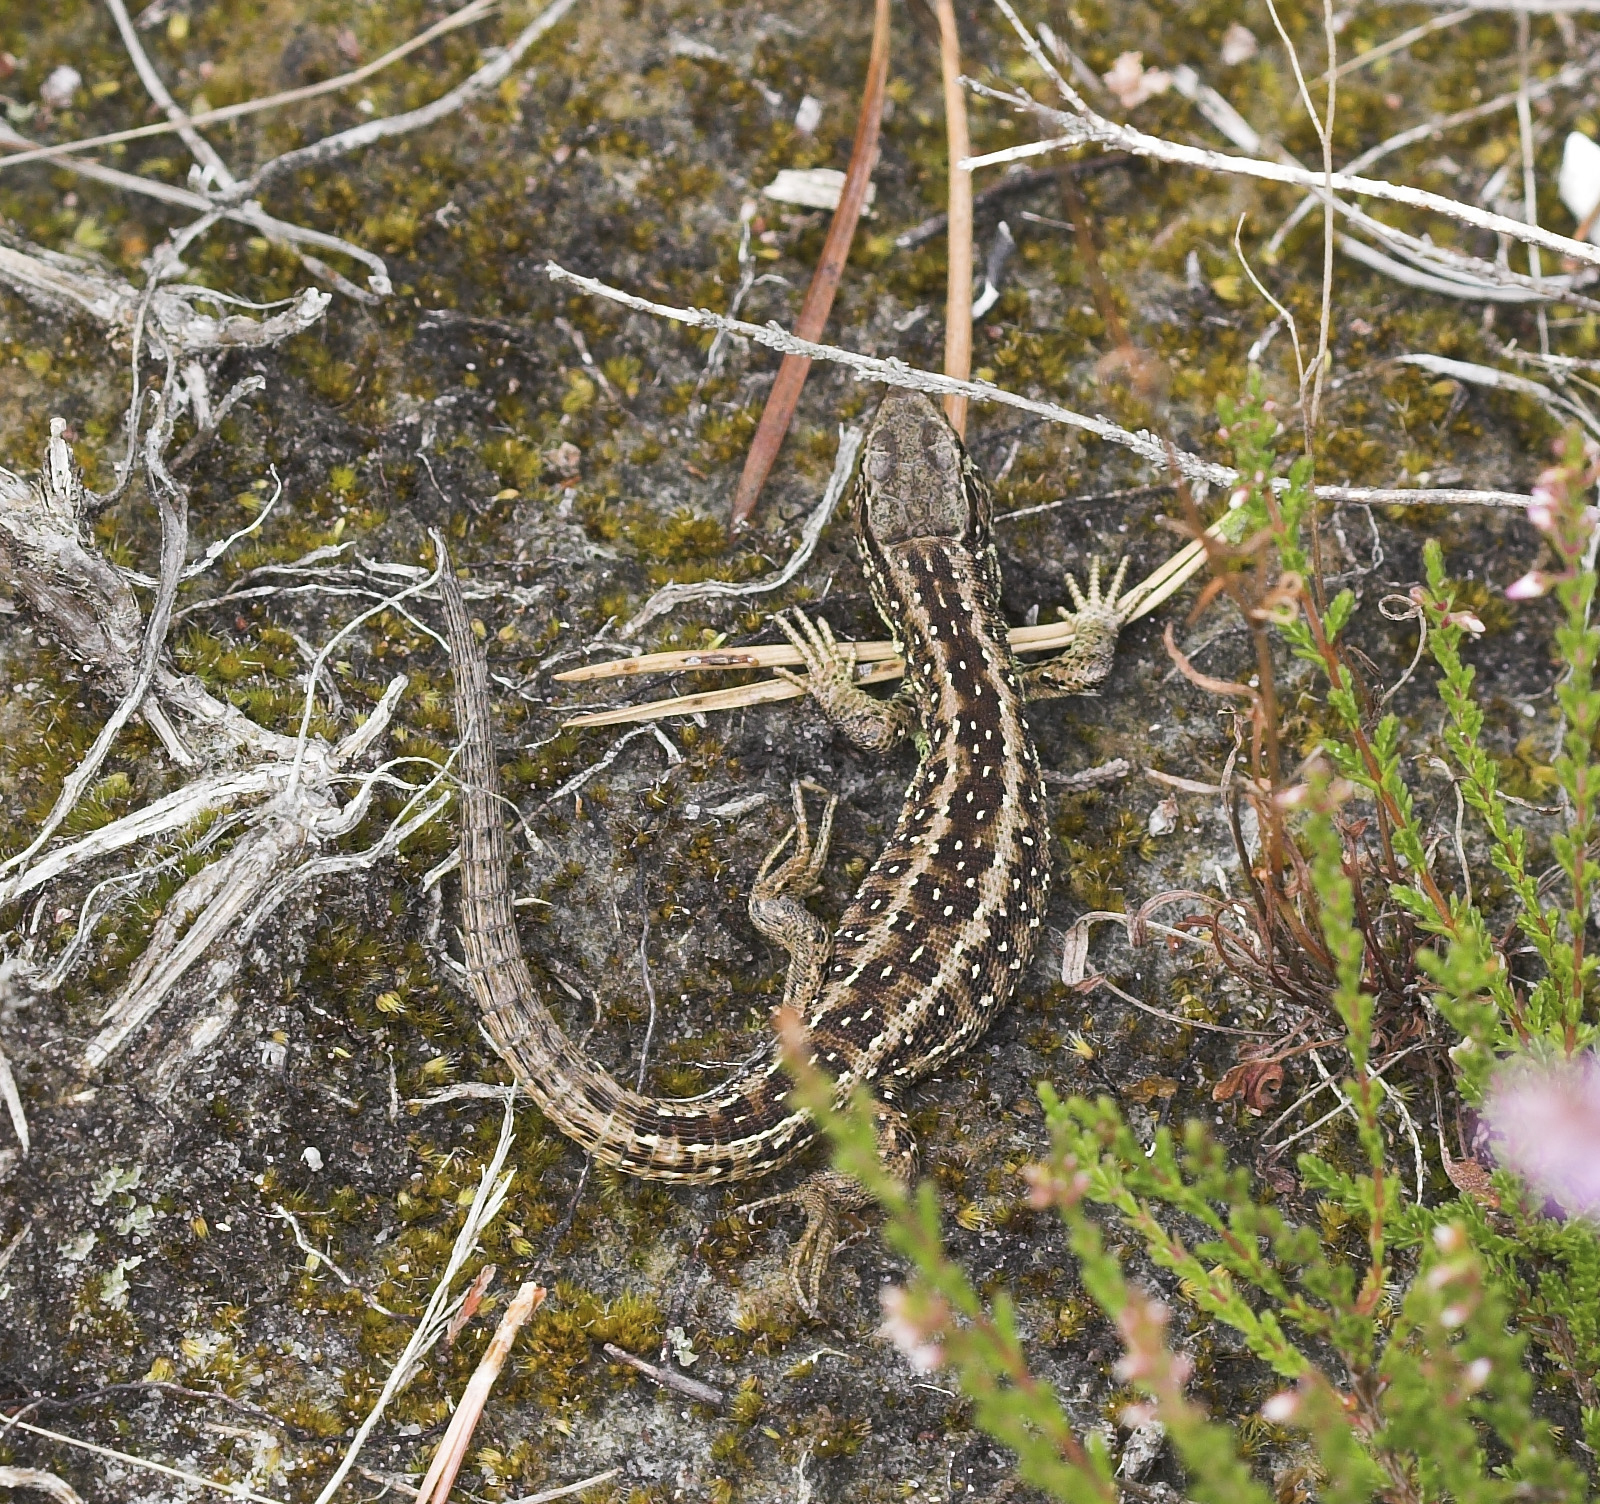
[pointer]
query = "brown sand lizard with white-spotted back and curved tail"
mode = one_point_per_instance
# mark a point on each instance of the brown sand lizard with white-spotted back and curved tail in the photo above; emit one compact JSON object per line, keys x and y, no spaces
{"x":946,"y":921}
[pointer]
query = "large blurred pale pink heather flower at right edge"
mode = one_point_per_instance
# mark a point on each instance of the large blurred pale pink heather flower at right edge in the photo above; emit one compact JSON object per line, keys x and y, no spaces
{"x":1545,"y":1124}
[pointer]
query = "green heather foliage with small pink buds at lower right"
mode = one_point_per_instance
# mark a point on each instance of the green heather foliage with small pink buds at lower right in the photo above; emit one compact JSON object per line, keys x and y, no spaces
{"x":1399,"y":1345}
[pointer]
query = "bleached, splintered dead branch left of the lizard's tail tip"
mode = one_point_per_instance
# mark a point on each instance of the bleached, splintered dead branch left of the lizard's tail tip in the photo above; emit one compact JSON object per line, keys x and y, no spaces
{"x":90,"y":607}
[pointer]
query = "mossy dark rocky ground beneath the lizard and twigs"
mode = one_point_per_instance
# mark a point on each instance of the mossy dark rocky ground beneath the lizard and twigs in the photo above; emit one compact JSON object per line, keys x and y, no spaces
{"x":578,"y":457}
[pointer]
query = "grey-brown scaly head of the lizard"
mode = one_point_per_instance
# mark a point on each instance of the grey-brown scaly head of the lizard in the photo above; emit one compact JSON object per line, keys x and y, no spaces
{"x":916,"y":478}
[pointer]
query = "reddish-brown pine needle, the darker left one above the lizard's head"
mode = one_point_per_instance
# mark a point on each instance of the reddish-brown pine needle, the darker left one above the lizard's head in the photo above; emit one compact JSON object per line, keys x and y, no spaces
{"x":785,"y":396}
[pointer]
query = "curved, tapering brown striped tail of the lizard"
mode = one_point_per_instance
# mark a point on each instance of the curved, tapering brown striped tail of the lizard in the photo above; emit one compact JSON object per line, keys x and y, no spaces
{"x":738,"y":1132}
